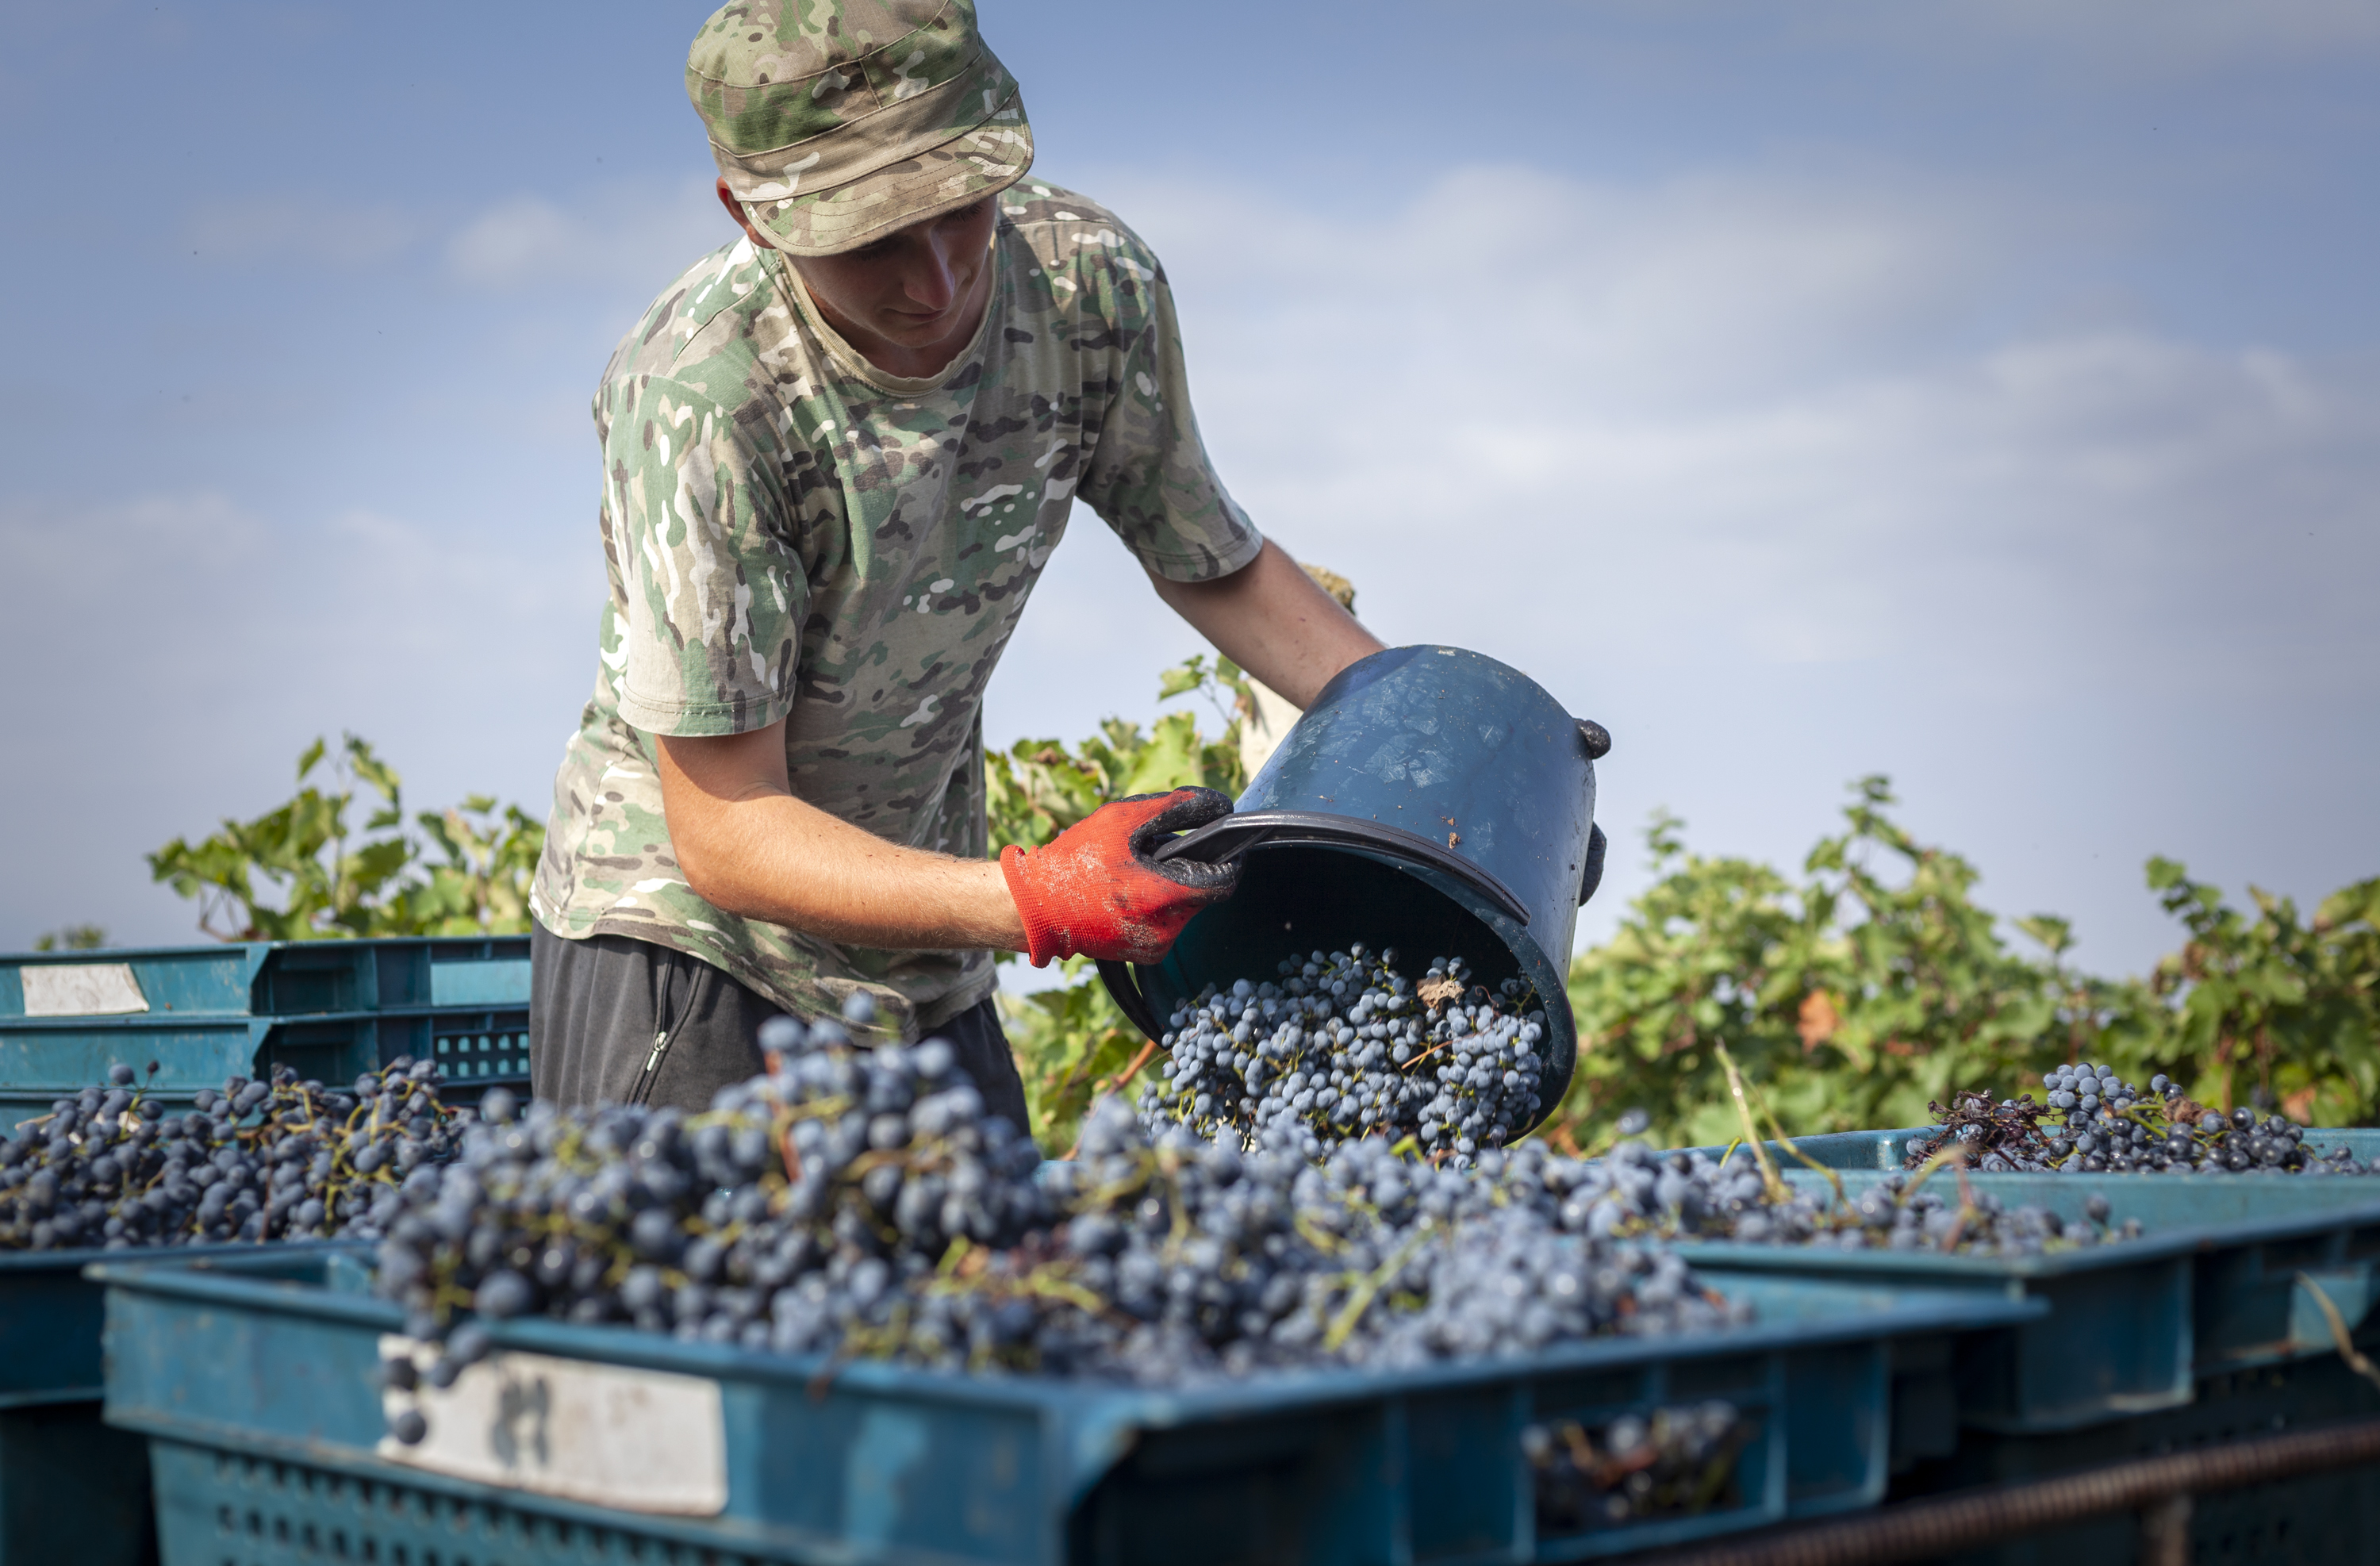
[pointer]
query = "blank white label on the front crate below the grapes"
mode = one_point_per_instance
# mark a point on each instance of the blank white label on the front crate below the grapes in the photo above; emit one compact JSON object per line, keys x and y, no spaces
{"x":613,"y":1436}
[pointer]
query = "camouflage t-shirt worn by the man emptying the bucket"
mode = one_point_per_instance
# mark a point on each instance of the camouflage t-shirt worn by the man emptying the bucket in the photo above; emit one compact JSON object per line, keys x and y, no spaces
{"x":796,"y":534}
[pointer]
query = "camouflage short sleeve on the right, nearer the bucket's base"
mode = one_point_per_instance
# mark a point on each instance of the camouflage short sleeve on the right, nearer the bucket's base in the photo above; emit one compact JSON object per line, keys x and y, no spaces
{"x":1148,"y":475}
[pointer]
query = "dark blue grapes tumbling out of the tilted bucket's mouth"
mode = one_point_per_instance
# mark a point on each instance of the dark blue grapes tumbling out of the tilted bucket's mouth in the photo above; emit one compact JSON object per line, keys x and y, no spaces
{"x":1344,"y":1046}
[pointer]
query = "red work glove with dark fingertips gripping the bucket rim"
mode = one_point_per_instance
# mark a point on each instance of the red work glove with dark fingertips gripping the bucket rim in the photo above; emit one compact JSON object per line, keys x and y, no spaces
{"x":1098,"y":891}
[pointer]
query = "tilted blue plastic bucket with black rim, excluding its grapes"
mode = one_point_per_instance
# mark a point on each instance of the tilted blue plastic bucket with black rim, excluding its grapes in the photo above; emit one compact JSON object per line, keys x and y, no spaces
{"x":1434,"y":803}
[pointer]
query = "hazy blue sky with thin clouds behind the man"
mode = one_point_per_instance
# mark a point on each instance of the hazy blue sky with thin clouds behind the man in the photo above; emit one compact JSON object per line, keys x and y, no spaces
{"x":1977,"y":394}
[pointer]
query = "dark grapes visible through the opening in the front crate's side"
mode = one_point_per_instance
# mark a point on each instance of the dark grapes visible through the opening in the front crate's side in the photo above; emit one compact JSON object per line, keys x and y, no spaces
{"x":1674,"y":1462}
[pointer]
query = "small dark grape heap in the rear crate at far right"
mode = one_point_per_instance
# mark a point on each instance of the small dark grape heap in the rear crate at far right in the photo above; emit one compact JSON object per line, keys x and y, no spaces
{"x":2098,"y":1122}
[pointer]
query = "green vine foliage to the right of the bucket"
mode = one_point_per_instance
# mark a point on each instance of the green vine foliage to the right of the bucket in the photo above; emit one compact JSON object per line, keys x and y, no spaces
{"x":1877,"y":984}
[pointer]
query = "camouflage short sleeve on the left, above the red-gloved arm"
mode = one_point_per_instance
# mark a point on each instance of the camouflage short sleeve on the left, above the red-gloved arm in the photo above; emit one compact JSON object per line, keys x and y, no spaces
{"x":696,"y":515}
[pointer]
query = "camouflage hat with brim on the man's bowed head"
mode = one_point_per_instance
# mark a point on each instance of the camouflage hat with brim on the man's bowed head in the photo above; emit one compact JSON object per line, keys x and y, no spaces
{"x":837,"y":123}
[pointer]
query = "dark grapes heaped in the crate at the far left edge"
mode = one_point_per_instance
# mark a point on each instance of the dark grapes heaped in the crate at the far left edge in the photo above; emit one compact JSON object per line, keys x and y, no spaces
{"x":261,"y":1160}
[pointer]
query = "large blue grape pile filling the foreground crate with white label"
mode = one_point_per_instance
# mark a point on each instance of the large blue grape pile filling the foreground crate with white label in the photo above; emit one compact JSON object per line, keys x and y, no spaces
{"x":860,"y":1203}
